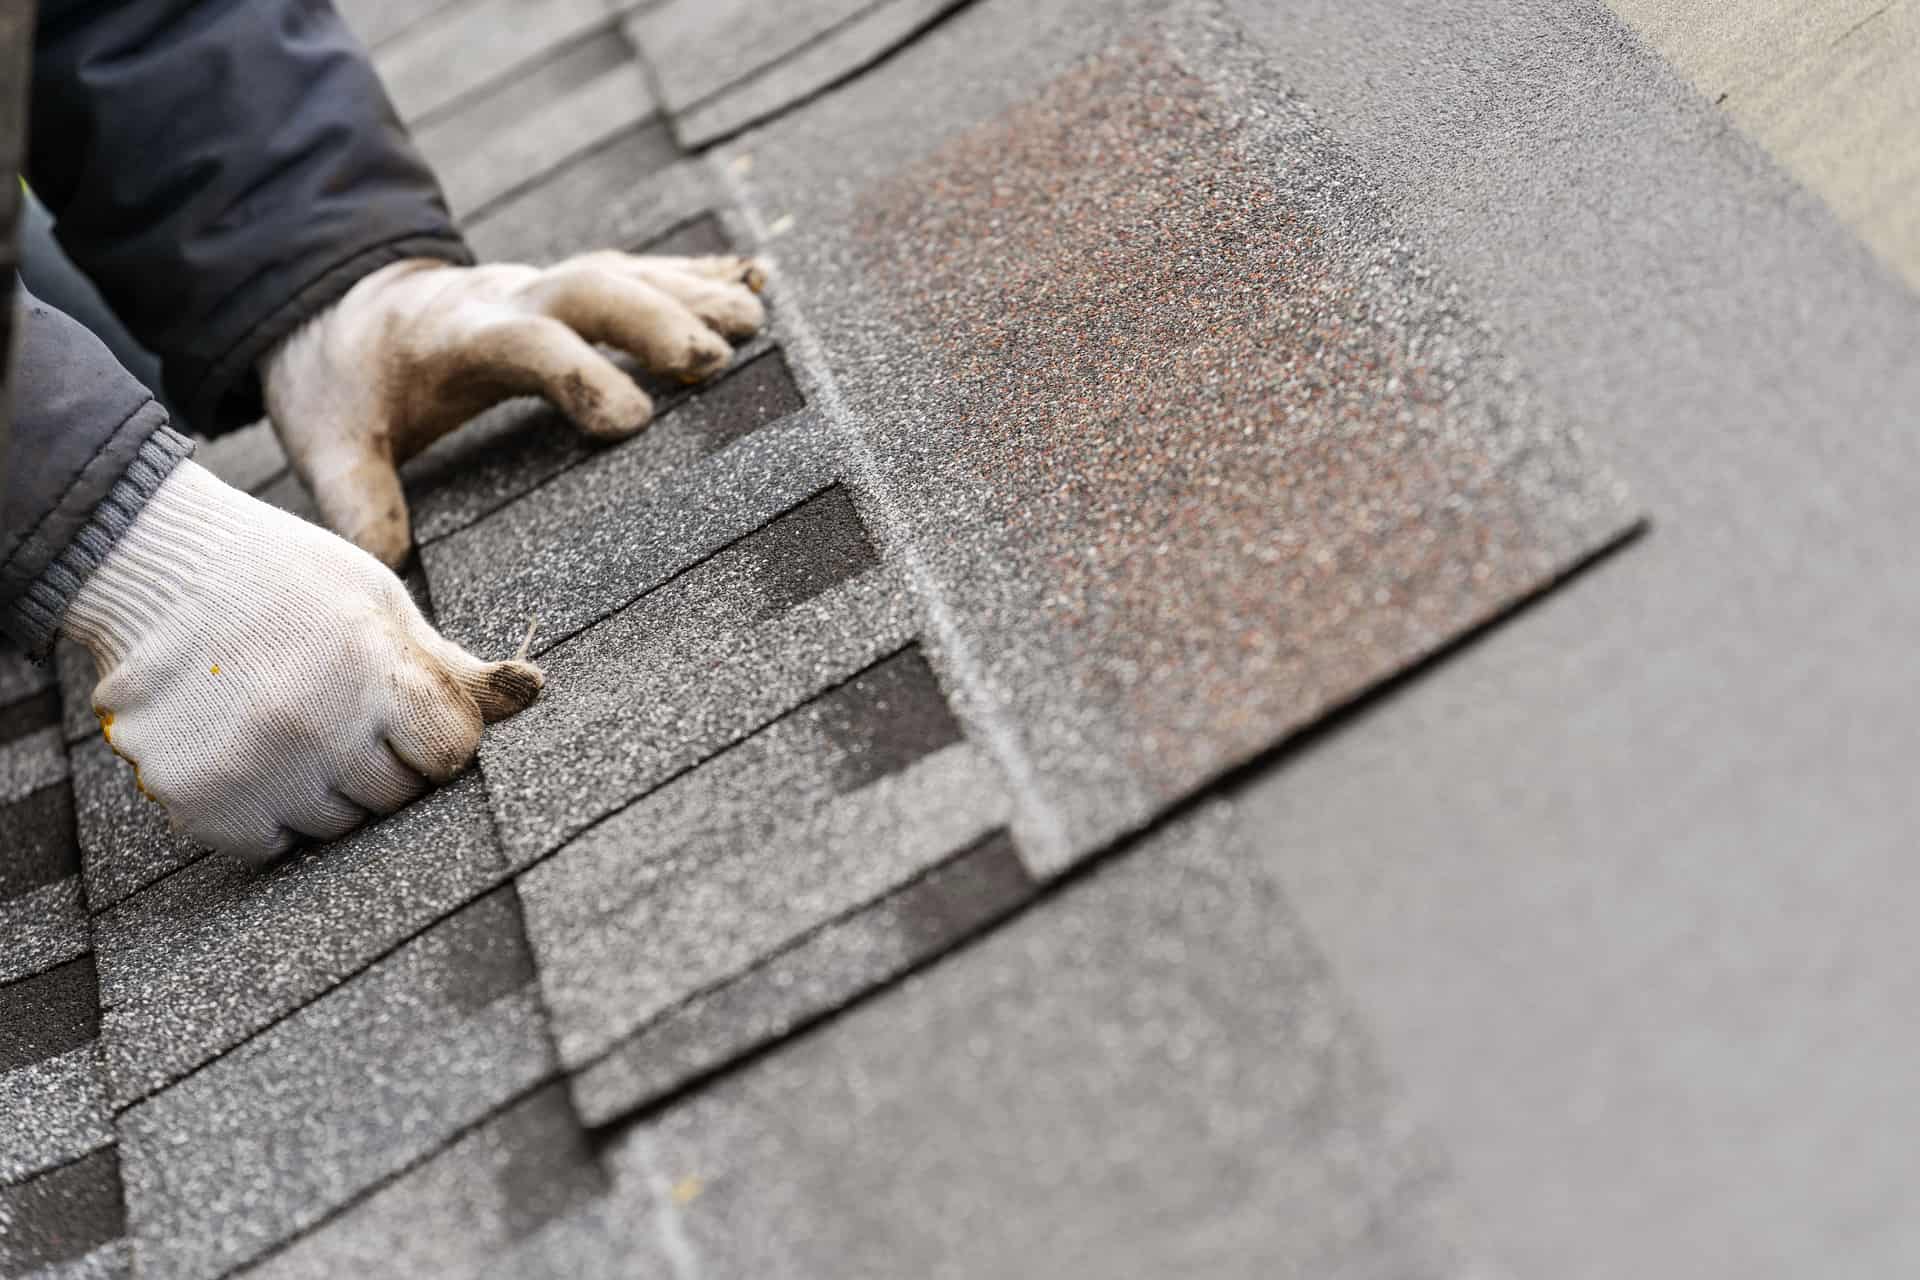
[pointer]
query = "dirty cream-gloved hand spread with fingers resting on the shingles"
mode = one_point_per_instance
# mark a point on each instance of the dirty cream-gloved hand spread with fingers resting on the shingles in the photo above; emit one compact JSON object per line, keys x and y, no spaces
{"x":420,"y":348}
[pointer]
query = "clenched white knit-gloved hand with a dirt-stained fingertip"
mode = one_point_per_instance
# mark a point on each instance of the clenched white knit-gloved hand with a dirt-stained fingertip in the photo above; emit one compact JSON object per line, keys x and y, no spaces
{"x":270,"y":680}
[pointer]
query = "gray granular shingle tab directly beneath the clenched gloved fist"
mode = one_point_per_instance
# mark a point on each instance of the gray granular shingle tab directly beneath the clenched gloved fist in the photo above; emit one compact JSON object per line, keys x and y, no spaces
{"x":212,"y":955}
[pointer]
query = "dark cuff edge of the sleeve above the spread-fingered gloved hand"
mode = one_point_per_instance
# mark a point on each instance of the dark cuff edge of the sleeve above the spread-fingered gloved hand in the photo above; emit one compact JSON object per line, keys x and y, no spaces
{"x":226,"y":394}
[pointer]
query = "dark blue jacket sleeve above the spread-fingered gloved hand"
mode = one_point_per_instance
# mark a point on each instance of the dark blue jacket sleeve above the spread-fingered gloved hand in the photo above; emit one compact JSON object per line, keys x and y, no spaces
{"x":222,"y":170}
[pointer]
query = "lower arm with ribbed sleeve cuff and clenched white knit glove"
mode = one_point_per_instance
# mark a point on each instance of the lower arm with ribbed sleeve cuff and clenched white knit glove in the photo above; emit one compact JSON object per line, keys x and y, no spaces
{"x":266,"y":678}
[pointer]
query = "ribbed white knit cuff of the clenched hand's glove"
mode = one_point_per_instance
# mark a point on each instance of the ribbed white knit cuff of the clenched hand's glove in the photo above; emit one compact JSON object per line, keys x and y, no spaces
{"x":155,"y":569}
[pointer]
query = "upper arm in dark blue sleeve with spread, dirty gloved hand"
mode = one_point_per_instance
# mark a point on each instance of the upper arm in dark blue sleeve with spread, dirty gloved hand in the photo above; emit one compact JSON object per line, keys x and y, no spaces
{"x":233,"y":179}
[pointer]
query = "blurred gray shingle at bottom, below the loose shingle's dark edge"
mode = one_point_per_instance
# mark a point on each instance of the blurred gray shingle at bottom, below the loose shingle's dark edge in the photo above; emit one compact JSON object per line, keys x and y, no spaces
{"x":1143,"y":1076}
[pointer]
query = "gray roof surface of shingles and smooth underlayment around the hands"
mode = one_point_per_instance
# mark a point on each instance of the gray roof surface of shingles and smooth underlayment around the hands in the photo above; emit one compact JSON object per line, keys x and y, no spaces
{"x":1044,"y":769}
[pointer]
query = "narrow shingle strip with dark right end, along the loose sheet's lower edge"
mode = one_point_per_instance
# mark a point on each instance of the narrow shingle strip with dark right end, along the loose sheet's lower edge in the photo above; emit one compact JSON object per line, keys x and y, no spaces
{"x":805,"y":982}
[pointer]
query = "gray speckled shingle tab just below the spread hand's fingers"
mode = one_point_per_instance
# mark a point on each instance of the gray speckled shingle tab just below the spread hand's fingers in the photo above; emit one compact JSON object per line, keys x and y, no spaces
{"x":631,"y":517}
